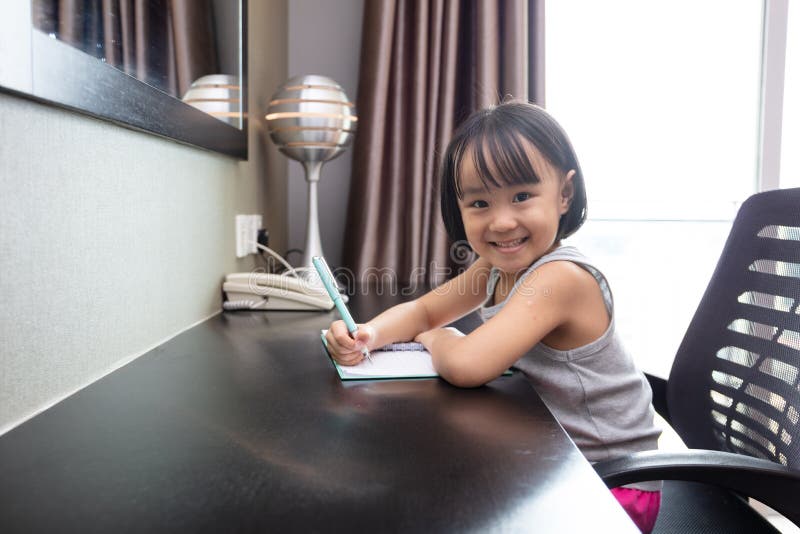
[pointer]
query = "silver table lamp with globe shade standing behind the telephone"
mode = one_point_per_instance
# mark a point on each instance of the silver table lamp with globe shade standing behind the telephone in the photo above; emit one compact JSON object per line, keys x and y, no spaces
{"x":311,"y":120}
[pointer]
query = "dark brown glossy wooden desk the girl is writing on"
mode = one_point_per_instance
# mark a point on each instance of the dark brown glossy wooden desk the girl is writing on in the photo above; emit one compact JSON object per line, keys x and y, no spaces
{"x":241,"y":425}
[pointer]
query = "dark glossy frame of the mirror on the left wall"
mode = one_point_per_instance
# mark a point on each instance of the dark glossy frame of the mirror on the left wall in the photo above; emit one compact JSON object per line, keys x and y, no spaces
{"x":34,"y":65}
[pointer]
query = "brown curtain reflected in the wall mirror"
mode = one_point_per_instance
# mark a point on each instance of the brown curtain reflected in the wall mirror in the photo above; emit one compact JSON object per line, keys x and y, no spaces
{"x":165,"y":43}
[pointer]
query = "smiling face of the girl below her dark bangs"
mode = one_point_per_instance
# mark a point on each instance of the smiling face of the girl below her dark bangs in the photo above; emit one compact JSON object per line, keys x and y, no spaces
{"x":514,"y":225}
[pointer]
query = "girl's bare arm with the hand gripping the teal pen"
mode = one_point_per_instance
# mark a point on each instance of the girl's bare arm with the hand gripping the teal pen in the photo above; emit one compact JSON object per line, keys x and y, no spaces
{"x":448,"y":302}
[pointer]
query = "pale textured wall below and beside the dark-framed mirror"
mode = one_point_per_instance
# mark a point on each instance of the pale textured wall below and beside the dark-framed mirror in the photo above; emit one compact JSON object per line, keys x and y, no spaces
{"x":113,"y":240}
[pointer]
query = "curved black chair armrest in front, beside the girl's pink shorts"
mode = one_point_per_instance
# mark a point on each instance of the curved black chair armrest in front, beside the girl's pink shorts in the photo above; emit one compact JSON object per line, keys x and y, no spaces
{"x":775,"y":485}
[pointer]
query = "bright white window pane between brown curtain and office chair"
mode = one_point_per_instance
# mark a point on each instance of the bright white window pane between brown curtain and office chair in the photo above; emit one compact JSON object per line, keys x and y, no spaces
{"x":661,"y":101}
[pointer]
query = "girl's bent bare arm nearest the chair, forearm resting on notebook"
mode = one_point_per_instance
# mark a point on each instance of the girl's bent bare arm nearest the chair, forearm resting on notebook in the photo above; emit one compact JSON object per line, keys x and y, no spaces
{"x":561,"y":299}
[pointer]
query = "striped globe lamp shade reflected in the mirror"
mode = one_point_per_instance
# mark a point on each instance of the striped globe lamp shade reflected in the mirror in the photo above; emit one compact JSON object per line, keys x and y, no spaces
{"x":219,"y":95}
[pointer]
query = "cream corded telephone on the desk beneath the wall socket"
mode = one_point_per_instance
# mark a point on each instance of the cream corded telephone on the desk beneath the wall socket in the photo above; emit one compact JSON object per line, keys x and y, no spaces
{"x":265,"y":291}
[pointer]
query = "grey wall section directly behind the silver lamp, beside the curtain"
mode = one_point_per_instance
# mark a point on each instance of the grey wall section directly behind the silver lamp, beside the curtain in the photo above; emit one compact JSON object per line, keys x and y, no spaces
{"x":324,"y":38}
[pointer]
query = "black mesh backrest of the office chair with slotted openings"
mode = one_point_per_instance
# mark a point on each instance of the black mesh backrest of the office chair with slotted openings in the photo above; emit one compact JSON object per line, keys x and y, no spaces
{"x":734,"y":383}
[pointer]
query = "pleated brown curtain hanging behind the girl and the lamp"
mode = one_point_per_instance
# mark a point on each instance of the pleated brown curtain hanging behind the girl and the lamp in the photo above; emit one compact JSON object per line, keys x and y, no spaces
{"x":425,"y":66}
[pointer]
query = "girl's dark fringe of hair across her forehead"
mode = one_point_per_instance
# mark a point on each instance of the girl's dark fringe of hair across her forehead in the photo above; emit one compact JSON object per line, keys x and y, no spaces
{"x":500,"y":157}
